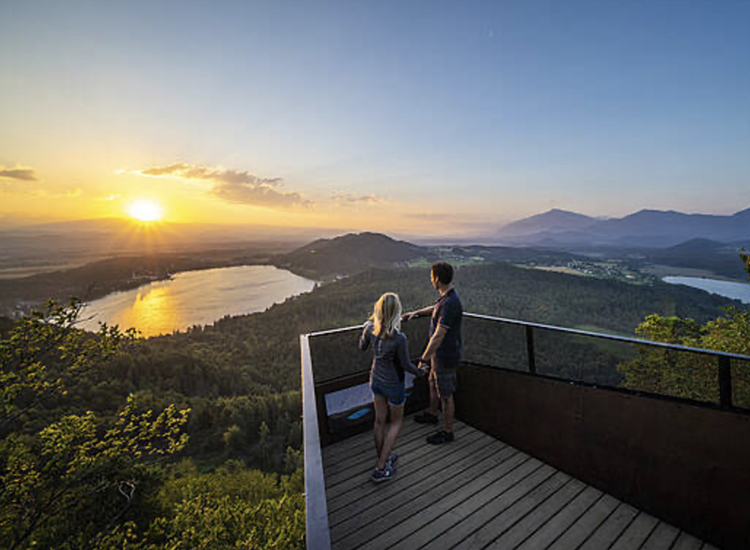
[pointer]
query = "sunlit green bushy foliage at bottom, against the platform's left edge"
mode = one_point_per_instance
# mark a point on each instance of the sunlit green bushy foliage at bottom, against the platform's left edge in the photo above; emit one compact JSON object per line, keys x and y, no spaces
{"x":230,"y":508}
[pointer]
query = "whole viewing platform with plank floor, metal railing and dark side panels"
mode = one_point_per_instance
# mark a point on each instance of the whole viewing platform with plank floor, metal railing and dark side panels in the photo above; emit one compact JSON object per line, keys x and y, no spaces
{"x":544,"y":458}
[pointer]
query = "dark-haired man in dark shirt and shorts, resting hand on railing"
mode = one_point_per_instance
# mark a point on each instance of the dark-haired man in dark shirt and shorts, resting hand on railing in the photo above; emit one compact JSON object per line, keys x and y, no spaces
{"x":443,"y":351}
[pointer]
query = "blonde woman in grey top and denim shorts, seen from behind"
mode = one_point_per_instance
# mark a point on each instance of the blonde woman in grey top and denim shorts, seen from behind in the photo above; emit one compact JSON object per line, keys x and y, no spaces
{"x":389,"y":363}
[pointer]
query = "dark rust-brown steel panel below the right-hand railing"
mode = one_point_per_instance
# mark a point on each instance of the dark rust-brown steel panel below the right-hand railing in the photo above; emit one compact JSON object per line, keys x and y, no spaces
{"x":685,"y":463}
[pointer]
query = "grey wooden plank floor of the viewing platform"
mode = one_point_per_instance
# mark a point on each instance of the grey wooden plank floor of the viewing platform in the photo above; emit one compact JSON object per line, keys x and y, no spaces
{"x":476,"y":492}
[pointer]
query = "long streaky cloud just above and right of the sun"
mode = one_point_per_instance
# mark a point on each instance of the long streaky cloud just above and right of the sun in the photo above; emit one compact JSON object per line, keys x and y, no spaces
{"x":234,"y":186}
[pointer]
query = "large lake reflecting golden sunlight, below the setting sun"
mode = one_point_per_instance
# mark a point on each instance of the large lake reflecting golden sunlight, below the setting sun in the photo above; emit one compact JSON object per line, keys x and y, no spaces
{"x":195,"y":298}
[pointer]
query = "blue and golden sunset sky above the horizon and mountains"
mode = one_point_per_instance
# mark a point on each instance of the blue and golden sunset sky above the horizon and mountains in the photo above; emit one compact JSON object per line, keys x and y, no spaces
{"x":396,"y":116}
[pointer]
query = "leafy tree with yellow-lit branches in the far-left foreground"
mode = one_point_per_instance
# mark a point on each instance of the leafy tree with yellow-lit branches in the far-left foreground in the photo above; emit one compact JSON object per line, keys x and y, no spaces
{"x":67,"y":479}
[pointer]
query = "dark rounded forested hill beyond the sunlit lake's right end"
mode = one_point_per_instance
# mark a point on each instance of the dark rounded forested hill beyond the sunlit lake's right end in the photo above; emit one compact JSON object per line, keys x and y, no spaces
{"x":348,"y":254}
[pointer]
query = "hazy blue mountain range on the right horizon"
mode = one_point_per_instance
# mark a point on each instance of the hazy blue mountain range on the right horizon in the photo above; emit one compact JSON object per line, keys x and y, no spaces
{"x":646,"y":228}
